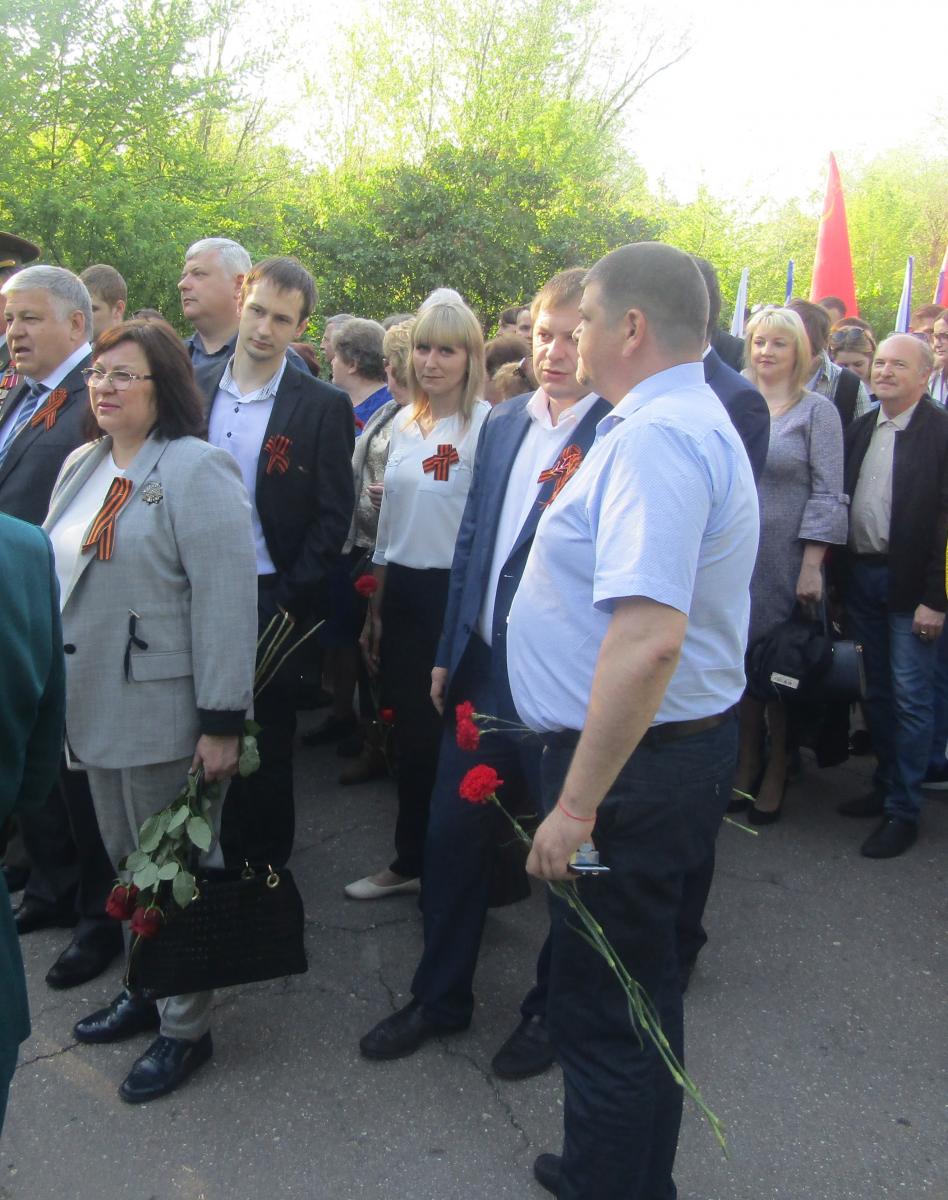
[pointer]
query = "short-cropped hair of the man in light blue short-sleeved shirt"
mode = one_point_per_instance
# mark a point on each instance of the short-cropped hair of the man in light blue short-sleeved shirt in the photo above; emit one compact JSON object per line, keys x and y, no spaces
{"x":664,"y":285}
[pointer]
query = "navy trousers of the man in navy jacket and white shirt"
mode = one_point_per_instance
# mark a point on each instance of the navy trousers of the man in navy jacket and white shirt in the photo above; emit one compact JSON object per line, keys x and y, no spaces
{"x":461,"y":848}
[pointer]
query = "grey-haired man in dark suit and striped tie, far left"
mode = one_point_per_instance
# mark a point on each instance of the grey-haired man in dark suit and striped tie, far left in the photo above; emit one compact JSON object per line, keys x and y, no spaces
{"x":50,"y":316}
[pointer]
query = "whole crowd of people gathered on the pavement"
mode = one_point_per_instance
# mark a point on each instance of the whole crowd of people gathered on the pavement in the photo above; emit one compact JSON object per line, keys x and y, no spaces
{"x":578,"y":529}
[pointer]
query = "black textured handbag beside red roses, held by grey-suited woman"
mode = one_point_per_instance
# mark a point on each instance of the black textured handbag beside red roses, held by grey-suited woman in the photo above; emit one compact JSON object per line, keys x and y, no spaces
{"x":242,"y":927}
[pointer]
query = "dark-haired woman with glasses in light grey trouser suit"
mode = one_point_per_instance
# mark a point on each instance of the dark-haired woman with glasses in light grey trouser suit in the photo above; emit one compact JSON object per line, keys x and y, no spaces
{"x":154,"y":548}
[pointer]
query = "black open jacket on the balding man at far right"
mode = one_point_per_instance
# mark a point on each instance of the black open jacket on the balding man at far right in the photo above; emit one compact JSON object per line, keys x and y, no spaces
{"x":920,"y":505}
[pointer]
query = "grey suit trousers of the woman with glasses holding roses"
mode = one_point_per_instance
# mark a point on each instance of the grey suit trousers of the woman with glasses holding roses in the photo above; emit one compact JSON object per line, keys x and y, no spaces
{"x":124,"y":800}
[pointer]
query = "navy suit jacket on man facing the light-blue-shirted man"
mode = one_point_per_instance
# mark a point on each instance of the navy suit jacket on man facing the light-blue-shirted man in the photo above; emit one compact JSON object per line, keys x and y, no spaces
{"x":501,"y":439}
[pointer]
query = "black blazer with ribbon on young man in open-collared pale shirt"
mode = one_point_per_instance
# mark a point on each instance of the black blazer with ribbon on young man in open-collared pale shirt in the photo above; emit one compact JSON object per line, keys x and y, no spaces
{"x":305,"y":493}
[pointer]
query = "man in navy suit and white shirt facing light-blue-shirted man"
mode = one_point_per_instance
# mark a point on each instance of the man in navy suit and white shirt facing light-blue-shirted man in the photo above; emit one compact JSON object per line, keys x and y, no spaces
{"x":529,"y":449}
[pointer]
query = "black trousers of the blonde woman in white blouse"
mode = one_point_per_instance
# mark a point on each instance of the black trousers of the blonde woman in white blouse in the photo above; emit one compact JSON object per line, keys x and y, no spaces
{"x":412,"y":614}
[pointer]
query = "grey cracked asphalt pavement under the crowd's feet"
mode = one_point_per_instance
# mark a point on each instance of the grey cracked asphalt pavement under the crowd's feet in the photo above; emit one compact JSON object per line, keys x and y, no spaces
{"x":815,"y":1022}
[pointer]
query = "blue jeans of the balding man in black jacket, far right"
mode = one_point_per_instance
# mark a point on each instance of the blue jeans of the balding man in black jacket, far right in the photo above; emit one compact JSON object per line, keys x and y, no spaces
{"x":899,"y":705}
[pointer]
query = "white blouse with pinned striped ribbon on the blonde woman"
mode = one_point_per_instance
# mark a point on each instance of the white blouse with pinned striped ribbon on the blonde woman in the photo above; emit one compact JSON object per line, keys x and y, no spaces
{"x":427,"y":490}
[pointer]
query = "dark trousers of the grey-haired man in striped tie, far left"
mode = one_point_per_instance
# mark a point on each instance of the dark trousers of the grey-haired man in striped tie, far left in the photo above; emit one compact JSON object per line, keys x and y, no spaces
{"x":69,"y":865}
